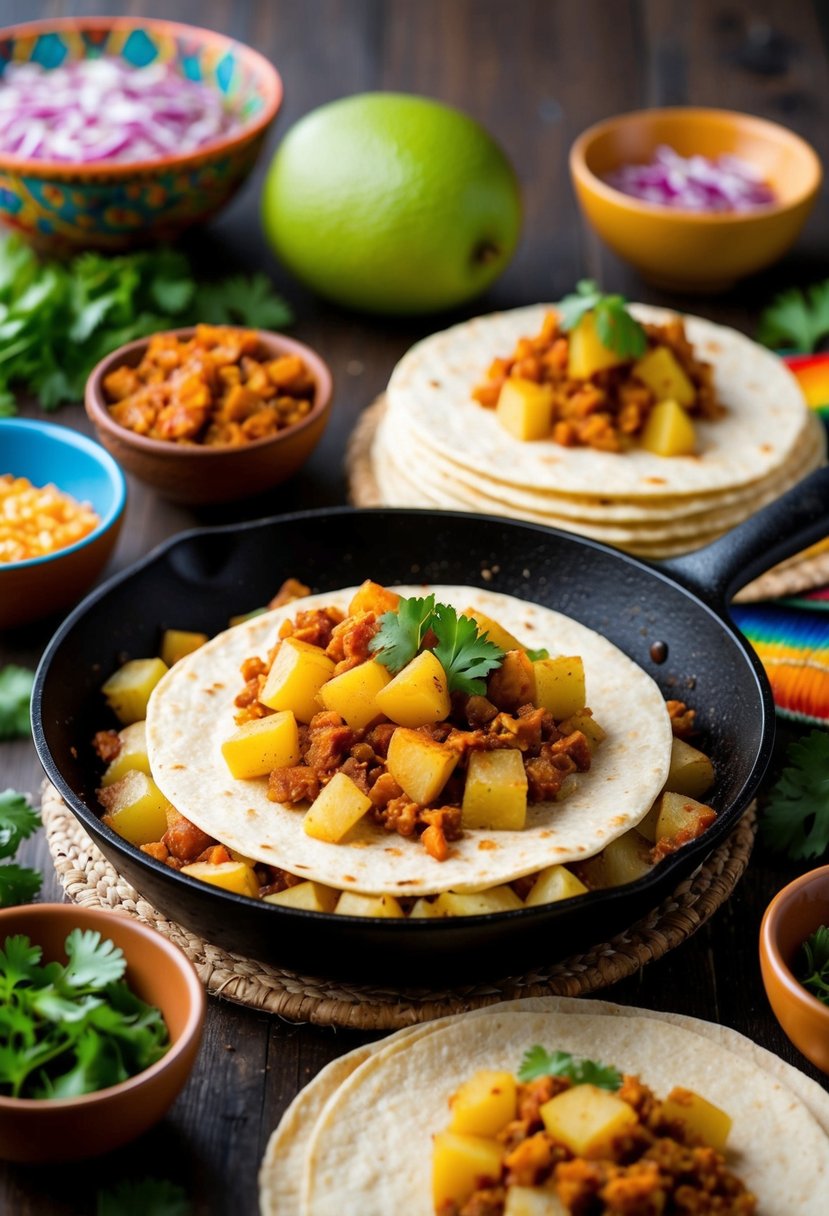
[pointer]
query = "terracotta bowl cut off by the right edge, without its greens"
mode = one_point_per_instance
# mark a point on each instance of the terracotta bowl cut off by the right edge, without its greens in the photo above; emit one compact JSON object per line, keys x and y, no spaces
{"x":793,"y":915}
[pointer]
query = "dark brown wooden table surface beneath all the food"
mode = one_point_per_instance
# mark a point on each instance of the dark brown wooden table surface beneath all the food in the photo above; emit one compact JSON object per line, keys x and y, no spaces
{"x":535,"y":74}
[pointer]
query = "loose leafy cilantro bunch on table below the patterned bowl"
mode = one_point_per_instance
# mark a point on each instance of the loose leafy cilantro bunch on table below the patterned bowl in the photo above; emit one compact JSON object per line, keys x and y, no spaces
{"x":58,"y":320}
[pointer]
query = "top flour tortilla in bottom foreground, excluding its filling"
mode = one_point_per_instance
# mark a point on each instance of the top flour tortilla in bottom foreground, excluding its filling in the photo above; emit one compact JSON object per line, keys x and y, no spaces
{"x":779,"y":1142}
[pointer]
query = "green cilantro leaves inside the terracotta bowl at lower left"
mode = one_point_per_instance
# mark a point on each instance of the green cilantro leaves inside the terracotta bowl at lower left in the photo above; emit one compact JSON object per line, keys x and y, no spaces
{"x":75,"y":1028}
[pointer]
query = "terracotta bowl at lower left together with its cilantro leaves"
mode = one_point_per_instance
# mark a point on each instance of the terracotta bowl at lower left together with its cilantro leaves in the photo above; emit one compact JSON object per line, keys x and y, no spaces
{"x":101,"y":1023}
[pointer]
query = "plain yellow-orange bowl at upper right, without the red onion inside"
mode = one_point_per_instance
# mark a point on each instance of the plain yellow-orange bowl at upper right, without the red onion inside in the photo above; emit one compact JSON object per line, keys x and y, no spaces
{"x":689,"y":251}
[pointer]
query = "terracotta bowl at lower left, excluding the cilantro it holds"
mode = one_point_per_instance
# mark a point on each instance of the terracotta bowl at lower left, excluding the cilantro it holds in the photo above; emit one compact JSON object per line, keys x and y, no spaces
{"x":70,"y":1129}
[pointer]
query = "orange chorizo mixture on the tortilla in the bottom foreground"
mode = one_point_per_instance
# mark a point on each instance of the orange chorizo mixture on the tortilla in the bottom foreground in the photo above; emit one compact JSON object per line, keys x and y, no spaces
{"x":656,"y":1164}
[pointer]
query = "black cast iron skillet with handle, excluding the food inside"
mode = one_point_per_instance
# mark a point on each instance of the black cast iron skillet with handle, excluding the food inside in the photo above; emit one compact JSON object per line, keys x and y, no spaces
{"x":200,"y":579}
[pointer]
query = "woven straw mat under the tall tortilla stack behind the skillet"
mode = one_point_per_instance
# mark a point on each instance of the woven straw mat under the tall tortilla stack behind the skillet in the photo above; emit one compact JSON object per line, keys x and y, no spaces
{"x":798,"y":573}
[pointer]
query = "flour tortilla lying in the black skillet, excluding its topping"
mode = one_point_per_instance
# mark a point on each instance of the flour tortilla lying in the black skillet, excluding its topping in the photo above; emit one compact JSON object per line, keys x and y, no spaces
{"x":191,"y":714}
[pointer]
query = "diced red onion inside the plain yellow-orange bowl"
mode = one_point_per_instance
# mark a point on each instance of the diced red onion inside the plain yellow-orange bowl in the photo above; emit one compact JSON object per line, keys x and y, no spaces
{"x":693,"y":184}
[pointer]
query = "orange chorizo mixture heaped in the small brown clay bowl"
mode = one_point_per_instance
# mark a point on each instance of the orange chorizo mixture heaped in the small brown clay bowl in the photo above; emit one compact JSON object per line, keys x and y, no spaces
{"x":216,"y":389}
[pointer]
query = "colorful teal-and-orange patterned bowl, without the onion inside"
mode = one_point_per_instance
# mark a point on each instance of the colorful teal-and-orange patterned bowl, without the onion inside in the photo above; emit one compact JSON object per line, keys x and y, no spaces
{"x":61,"y":207}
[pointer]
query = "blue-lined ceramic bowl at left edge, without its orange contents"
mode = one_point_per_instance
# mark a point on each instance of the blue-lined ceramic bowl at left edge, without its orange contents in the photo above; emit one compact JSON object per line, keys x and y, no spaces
{"x":49,"y":454}
